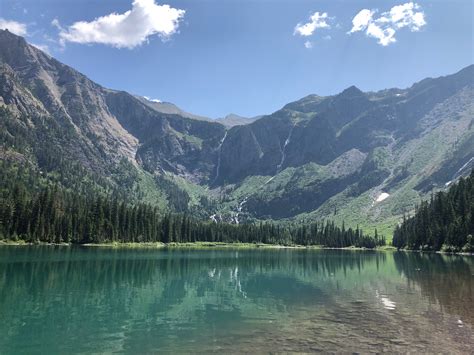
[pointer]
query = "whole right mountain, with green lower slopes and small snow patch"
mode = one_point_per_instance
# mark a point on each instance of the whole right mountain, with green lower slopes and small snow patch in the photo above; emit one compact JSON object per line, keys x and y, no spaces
{"x":360,"y":157}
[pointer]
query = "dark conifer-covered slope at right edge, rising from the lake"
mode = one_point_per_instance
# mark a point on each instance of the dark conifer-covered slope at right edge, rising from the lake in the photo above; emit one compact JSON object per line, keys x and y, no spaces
{"x":444,"y":223}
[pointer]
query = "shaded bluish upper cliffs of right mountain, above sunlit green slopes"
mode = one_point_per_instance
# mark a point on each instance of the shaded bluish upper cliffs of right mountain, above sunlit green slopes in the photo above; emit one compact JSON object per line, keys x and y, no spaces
{"x":317,"y":129}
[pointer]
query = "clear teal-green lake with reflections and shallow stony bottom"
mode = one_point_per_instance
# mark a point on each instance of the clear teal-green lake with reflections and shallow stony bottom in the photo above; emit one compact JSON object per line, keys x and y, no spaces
{"x":78,"y":299}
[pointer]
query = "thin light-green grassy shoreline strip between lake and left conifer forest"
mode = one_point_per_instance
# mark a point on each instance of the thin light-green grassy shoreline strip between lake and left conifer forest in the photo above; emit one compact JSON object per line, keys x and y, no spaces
{"x":190,"y":245}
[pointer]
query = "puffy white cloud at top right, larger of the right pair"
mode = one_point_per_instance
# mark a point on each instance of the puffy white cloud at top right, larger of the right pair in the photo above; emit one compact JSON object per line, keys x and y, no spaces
{"x":385,"y":27}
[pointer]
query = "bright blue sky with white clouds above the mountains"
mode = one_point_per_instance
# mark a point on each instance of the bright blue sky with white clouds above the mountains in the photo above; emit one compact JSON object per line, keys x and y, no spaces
{"x":213,"y":57}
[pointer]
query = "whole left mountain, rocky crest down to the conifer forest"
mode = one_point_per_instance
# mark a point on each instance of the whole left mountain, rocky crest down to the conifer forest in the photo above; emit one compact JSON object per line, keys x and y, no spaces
{"x":51,"y":110}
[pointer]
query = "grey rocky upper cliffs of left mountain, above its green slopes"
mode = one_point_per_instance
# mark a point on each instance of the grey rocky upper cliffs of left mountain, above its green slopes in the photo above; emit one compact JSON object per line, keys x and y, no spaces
{"x":114,"y":124}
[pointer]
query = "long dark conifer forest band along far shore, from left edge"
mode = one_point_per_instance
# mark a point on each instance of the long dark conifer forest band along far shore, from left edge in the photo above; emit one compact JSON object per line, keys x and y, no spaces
{"x":35,"y":210}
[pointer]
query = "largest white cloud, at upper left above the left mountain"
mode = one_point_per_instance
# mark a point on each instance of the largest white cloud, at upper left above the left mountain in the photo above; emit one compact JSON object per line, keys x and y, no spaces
{"x":127,"y":30}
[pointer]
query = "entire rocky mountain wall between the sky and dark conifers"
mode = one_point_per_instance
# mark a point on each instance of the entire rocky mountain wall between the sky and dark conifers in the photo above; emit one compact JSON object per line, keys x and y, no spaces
{"x":360,"y":157}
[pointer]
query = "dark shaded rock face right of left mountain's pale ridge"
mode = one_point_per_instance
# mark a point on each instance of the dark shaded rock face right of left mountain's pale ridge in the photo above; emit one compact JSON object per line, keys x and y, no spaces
{"x":168,"y":142}
